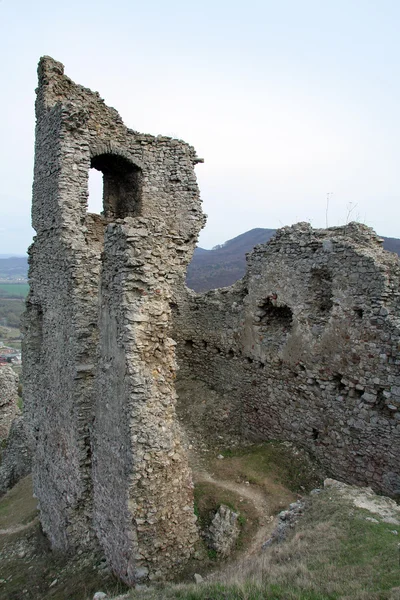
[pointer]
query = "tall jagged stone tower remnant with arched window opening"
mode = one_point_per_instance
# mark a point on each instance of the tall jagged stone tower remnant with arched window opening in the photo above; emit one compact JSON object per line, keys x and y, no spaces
{"x":98,"y":360}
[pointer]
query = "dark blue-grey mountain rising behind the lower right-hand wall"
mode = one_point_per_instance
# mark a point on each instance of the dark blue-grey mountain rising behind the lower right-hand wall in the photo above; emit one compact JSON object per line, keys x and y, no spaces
{"x":223,"y":265}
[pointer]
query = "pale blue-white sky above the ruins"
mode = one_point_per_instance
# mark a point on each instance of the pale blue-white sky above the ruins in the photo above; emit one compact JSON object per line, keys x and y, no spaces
{"x":287,"y":101}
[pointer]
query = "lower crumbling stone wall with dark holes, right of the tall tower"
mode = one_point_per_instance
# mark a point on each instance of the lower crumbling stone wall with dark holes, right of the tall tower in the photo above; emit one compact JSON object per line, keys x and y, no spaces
{"x":306,"y":348}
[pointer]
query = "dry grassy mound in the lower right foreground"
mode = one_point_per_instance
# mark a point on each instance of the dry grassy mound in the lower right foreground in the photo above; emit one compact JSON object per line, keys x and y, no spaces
{"x":334,"y":554}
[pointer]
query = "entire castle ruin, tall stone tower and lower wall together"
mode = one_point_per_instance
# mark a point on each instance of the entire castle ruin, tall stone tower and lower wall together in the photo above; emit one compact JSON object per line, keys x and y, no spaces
{"x":305,"y":348}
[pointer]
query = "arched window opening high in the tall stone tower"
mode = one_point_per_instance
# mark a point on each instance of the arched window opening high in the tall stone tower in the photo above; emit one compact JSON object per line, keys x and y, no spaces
{"x":122,"y":186}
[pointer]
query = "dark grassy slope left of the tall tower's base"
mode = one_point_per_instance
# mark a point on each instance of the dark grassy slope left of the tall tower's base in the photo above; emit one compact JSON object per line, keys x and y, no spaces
{"x":28,"y":567}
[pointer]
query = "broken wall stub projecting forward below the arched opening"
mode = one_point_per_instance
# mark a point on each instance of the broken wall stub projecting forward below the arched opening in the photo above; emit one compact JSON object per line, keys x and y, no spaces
{"x":144,"y":485}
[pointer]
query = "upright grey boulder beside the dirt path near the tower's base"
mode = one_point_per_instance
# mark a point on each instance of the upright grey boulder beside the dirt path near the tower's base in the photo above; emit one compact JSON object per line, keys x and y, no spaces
{"x":223,"y":531}
